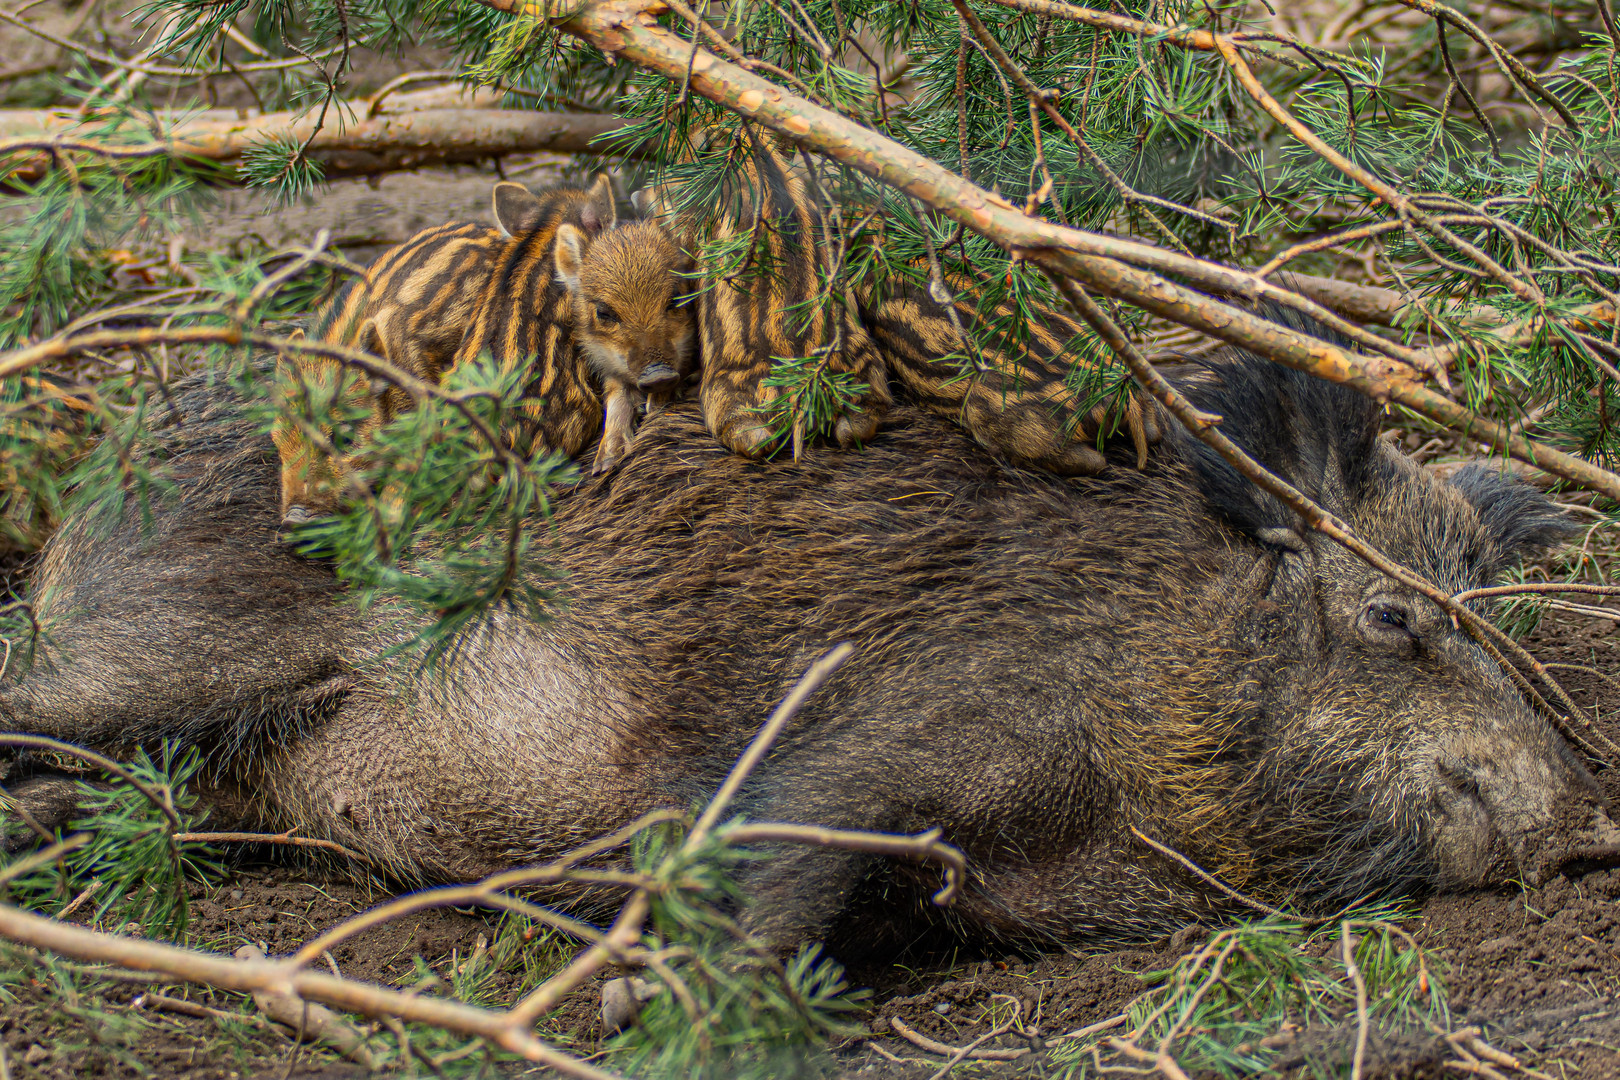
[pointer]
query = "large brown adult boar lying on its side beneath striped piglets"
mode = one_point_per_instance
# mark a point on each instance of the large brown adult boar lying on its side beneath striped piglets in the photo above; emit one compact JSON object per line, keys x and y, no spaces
{"x":1042,"y":665}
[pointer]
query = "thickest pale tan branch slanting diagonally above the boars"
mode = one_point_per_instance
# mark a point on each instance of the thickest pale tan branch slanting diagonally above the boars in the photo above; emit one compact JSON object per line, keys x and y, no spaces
{"x":1115,"y":268}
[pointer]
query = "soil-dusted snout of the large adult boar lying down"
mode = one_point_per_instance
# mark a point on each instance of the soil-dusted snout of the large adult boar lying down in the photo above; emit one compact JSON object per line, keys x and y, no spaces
{"x":1512,"y":806}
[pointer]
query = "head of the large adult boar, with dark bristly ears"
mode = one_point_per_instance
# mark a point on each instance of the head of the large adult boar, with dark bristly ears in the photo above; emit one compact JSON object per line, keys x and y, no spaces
{"x":1396,"y":752}
